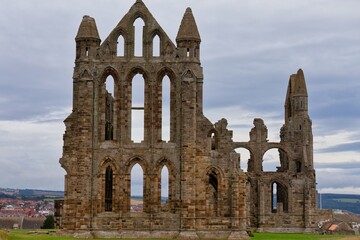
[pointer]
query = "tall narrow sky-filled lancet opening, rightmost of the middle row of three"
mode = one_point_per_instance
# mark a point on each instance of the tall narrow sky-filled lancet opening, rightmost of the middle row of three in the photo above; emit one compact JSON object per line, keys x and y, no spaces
{"x":165,"y":125}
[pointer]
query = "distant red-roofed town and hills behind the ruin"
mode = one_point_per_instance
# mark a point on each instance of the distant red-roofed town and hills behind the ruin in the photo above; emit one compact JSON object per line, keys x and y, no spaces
{"x":28,"y":208}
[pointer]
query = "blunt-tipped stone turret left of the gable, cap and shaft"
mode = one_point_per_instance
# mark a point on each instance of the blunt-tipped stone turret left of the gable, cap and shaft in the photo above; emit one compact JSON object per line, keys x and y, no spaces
{"x":87,"y":39}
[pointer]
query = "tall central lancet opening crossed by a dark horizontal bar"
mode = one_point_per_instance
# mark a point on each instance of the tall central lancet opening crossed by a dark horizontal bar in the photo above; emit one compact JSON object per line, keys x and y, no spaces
{"x":137,"y":108}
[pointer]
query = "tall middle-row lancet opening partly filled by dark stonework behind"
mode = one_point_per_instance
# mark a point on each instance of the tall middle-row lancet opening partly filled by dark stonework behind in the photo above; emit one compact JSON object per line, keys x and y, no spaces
{"x":109,"y":107}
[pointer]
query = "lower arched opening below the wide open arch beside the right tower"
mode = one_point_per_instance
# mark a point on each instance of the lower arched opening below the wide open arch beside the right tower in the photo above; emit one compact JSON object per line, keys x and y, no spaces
{"x":279,"y":198}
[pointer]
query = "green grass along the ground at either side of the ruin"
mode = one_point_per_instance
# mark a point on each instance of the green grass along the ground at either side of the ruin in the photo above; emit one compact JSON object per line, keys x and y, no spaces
{"x":46,"y":235}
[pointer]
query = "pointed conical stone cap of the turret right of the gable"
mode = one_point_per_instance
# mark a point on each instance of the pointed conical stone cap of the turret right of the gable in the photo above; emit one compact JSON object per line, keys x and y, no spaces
{"x":188,"y":29}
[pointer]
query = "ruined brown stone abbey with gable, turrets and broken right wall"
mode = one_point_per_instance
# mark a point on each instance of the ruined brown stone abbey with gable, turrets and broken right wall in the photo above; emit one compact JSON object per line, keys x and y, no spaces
{"x":209,"y":194}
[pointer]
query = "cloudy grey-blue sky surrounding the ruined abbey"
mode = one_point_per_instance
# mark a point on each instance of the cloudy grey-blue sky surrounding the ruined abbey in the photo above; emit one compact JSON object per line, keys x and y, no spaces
{"x":249,"y":49}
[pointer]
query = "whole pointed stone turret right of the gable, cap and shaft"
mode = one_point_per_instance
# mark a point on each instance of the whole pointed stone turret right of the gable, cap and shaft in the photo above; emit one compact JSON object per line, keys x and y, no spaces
{"x":188,"y":37}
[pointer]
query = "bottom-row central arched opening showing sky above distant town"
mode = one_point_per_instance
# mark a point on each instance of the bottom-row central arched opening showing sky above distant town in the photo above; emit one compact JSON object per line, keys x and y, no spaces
{"x":137,"y":188}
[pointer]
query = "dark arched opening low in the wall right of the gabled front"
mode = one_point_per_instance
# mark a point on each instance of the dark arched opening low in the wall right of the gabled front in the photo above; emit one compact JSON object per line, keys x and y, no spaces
{"x":212,"y":194}
